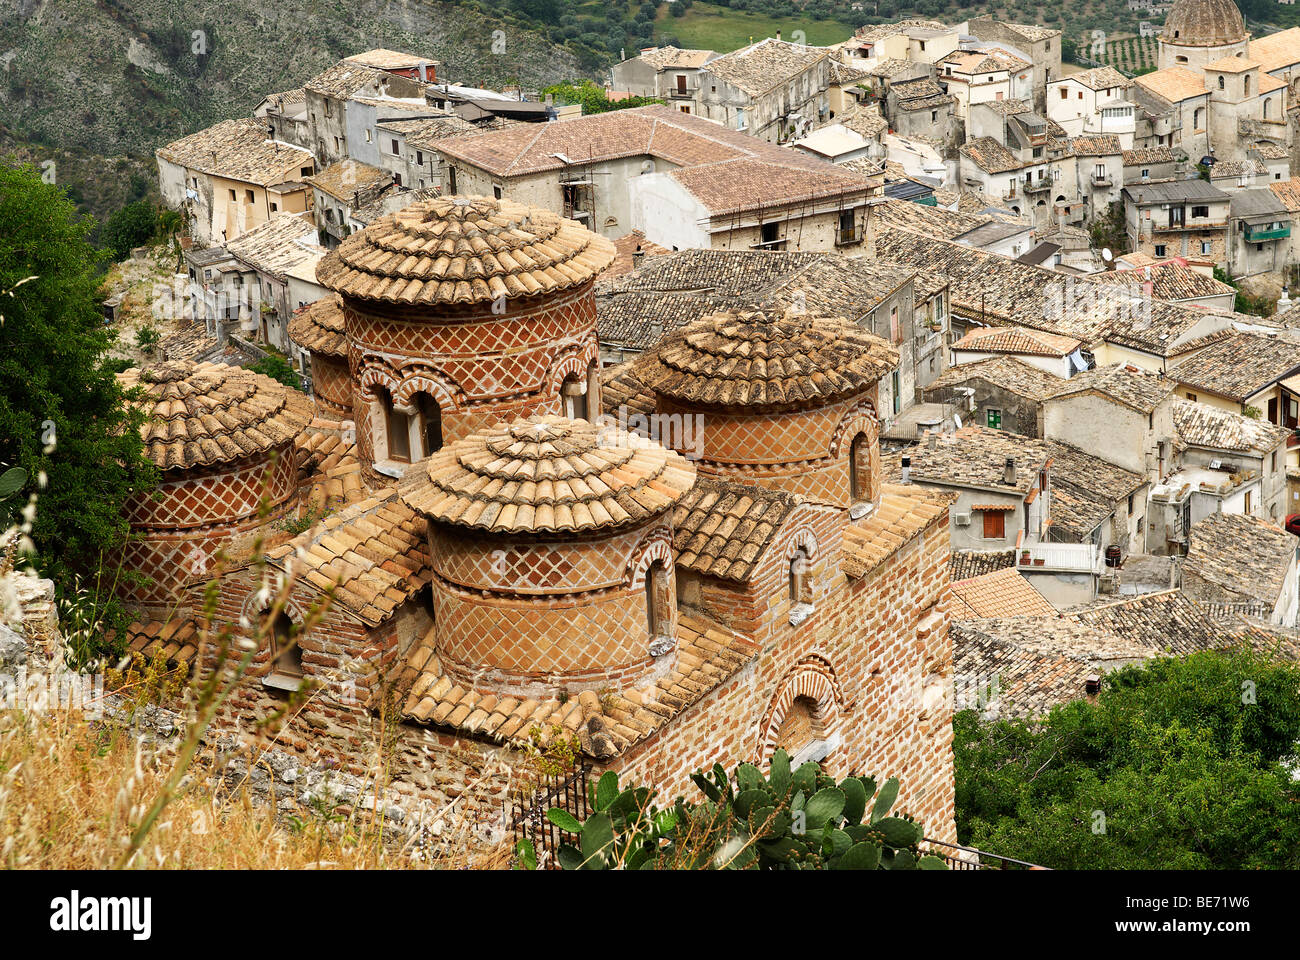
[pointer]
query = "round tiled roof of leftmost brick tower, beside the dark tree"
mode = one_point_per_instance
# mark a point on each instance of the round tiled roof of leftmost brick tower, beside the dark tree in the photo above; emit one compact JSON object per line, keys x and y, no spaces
{"x":201,"y":414}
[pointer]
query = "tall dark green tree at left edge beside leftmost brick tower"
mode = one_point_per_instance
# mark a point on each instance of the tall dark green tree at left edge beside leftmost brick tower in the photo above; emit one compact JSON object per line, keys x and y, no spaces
{"x":62,"y":413}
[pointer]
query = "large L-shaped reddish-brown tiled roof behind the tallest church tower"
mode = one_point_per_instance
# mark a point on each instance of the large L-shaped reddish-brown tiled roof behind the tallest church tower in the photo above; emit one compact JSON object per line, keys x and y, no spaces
{"x":726,"y":171}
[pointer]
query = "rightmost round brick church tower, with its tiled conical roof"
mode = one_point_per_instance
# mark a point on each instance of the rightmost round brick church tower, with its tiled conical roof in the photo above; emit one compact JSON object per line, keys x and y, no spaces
{"x":786,"y":403}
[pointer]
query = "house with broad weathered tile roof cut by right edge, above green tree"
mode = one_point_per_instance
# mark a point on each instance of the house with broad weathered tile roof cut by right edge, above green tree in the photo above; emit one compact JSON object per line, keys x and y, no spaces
{"x":1245,"y":564}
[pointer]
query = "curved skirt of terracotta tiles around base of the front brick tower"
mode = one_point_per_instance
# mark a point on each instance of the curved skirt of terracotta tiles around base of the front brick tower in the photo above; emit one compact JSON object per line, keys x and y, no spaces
{"x":605,"y":725}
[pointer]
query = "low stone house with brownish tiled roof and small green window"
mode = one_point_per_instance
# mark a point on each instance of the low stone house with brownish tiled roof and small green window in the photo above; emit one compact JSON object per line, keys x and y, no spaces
{"x":1000,"y":393}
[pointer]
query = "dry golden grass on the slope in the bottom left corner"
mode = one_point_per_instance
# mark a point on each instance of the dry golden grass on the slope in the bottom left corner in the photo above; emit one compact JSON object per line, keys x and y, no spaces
{"x":75,"y":793}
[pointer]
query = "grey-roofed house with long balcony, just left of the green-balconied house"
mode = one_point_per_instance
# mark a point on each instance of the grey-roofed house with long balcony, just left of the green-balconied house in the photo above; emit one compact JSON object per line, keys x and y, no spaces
{"x":1178,"y":218}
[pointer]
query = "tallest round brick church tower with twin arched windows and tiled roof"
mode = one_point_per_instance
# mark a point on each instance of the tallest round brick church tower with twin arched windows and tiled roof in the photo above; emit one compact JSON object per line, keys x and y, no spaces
{"x":461,"y":313}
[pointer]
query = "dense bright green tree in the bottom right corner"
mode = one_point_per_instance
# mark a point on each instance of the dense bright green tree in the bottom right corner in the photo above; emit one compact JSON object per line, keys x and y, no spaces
{"x":1178,"y":766}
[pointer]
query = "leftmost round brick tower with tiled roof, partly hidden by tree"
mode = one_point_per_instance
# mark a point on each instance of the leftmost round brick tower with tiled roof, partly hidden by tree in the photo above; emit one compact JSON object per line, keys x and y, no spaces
{"x":223,"y":438}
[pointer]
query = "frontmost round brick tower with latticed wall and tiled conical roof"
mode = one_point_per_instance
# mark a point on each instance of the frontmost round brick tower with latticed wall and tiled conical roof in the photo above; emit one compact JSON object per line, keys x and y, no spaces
{"x":552,"y":565}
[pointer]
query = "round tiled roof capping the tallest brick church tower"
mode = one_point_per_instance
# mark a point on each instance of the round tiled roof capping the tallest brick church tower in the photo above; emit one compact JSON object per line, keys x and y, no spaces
{"x":465,"y":250}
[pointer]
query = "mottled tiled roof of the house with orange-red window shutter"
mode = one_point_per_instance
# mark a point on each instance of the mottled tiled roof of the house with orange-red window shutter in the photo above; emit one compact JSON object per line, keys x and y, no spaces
{"x":977,"y":457}
